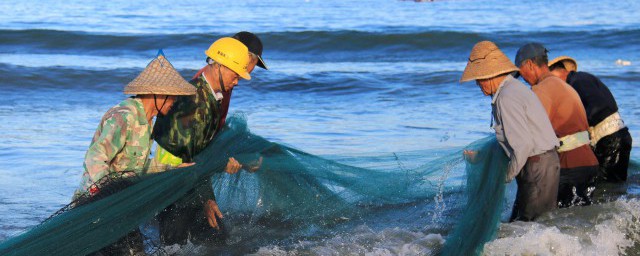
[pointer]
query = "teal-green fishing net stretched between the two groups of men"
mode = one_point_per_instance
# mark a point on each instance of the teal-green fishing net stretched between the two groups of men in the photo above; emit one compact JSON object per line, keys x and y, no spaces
{"x":294,"y":195}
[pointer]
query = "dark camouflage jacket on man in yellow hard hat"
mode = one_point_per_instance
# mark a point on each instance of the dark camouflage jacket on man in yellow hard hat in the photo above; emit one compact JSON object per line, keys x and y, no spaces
{"x":191,"y":124}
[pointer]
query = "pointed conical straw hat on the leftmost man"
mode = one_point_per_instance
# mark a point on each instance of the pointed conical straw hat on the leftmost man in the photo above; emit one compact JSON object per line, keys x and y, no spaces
{"x":160,"y":78}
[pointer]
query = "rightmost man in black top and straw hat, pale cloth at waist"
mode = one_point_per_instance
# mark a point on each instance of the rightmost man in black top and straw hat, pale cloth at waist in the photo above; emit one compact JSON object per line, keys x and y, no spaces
{"x":610,"y":138}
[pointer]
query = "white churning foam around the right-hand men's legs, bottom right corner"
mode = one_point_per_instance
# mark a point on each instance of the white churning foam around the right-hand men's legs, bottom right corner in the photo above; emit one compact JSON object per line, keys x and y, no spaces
{"x":606,"y":229}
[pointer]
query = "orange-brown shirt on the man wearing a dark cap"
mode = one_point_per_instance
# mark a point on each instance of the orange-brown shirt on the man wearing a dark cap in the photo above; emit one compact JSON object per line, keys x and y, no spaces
{"x":567,"y":116}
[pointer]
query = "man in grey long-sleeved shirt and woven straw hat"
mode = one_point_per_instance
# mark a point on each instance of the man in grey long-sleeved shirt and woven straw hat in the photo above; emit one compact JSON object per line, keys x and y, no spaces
{"x":522,"y":129}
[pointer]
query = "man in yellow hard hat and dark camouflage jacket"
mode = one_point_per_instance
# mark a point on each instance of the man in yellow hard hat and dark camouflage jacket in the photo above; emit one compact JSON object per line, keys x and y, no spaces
{"x":186,"y":130}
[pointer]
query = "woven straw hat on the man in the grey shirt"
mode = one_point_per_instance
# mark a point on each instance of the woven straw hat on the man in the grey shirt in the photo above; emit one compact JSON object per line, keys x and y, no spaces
{"x":486,"y":61}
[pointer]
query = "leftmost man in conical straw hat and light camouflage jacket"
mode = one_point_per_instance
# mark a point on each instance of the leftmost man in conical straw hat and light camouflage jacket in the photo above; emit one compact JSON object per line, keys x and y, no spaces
{"x":122,"y":143}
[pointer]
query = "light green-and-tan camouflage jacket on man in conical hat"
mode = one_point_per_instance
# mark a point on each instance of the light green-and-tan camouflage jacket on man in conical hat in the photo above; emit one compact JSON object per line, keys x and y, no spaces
{"x":122,"y":142}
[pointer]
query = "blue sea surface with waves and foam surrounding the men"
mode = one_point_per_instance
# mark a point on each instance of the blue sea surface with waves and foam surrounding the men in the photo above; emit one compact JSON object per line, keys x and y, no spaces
{"x":348,"y":80}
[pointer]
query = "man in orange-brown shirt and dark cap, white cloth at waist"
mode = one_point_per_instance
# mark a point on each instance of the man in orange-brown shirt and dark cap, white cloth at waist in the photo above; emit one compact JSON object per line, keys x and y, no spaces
{"x":579,"y":166}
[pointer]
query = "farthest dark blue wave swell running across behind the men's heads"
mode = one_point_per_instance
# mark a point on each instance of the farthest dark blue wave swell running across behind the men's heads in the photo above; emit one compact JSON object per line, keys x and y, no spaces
{"x":411,"y":43}
